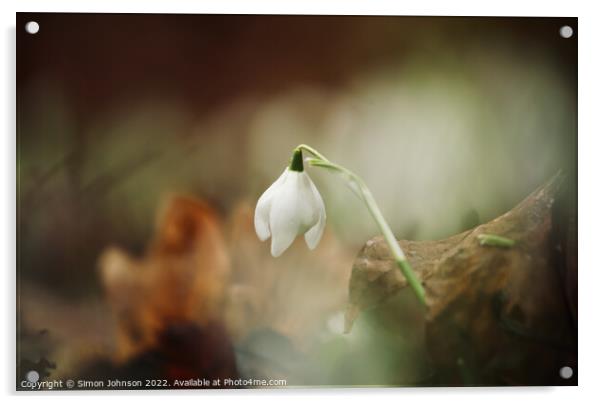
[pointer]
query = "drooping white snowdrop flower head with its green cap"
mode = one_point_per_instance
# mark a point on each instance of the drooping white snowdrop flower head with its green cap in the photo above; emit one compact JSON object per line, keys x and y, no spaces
{"x":289,"y":207}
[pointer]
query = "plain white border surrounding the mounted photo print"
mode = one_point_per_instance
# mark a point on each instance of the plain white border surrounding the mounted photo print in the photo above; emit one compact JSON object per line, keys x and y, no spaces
{"x":590,"y":204}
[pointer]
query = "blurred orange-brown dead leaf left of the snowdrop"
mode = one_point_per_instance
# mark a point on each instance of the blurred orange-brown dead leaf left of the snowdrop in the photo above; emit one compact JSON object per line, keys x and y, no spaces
{"x":181,"y":279}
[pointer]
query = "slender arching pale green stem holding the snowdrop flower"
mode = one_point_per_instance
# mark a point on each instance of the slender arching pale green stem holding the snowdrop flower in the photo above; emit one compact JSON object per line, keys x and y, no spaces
{"x":366,"y":196}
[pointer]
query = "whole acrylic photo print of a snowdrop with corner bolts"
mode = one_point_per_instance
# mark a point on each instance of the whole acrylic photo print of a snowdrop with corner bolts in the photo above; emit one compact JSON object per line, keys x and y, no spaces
{"x":289,"y":201}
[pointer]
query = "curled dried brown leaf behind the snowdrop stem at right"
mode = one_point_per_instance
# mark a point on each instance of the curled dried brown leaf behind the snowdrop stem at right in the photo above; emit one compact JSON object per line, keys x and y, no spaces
{"x":495,"y":315}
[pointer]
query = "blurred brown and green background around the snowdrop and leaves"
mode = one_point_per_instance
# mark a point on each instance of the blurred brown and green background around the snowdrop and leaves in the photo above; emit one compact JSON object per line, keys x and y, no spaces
{"x":450,"y":122}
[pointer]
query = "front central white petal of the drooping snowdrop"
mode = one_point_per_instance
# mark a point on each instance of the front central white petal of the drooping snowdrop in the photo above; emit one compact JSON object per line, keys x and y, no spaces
{"x":291,"y":212}
